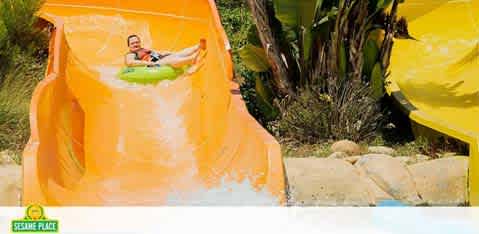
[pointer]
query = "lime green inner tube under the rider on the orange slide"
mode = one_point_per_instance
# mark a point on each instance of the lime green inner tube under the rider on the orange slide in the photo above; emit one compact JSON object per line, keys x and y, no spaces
{"x":150,"y":75}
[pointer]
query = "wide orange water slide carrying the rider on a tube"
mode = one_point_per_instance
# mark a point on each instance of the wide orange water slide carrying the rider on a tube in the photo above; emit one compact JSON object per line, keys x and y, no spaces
{"x":97,"y":140}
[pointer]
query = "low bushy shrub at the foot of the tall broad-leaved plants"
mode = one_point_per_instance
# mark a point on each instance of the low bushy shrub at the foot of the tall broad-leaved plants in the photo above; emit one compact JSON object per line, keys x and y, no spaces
{"x":347,"y":112}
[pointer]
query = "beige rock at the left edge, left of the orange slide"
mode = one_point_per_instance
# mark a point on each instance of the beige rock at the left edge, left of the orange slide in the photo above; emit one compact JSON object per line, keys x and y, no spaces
{"x":10,"y":185}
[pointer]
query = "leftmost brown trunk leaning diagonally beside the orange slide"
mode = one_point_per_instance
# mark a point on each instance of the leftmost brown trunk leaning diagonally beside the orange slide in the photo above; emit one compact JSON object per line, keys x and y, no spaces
{"x":259,"y":10}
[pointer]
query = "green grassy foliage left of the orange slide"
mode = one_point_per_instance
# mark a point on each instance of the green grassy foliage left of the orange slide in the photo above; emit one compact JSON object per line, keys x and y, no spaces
{"x":23,"y":50}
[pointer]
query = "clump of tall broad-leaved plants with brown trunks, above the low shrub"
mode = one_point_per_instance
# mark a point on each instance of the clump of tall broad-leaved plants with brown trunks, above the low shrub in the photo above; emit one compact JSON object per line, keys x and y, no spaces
{"x":319,"y":45}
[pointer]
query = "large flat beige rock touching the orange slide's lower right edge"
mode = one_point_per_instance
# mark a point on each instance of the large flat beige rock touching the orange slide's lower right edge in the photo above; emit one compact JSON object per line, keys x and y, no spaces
{"x":326,"y":182}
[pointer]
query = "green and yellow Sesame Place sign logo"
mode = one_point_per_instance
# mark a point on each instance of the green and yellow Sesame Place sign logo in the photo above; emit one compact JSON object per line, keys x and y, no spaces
{"x":35,"y":221}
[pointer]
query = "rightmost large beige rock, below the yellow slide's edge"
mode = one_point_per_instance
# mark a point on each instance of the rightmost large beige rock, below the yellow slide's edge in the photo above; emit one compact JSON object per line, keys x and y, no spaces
{"x":442,"y":182}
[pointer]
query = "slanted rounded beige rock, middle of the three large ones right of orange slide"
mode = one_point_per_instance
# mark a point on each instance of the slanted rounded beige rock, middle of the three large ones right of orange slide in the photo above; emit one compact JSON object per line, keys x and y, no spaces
{"x":392,"y":176}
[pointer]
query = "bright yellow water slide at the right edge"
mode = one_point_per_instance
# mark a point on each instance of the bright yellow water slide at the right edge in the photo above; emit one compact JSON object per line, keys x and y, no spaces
{"x":436,"y":77}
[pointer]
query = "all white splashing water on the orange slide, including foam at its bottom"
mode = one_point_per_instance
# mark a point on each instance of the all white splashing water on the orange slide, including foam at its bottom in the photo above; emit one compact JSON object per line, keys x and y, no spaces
{"x":226,"y":194}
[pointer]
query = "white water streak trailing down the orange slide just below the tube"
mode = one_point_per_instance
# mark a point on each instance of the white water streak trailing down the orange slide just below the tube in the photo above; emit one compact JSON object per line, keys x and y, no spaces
{"x":167,"y":125}
